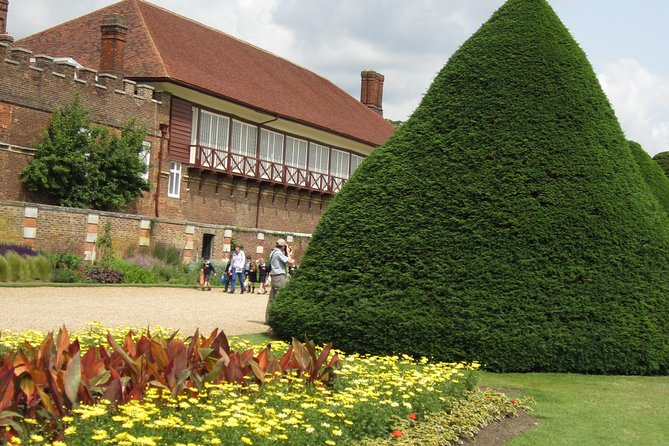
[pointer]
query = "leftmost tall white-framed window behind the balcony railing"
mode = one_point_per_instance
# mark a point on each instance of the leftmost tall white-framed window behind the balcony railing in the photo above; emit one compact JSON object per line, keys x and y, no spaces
{"x":213,"y":139}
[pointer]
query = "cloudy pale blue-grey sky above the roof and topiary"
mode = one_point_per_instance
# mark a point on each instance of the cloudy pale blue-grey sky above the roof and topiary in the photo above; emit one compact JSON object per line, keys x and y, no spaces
{"x":409,"y":42}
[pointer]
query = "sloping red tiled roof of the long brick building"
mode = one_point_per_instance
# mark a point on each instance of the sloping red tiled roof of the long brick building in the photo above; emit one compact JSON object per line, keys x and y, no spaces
{"x":164,"y":45}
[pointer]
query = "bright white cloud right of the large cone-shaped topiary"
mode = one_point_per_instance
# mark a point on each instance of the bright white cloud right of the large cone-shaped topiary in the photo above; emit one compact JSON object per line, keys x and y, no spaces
{"x":641,"y":101}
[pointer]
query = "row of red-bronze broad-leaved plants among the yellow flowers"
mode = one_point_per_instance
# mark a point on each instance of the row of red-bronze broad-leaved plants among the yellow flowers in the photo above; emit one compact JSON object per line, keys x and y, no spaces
{"x":46,"y":382}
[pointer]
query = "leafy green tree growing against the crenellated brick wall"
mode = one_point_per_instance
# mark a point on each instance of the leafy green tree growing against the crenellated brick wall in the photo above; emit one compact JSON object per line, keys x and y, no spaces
{"x":83,"y":166}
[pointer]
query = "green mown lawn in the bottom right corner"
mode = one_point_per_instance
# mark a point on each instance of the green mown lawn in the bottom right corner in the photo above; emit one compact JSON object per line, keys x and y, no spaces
{"x":591,"y":410}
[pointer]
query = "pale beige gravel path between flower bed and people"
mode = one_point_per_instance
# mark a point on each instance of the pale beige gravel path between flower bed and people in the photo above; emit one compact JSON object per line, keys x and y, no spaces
{"x":47,"y":308}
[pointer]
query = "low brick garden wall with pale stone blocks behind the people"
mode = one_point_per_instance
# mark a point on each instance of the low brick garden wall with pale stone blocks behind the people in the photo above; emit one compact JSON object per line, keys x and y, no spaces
{"x":61,"y":229}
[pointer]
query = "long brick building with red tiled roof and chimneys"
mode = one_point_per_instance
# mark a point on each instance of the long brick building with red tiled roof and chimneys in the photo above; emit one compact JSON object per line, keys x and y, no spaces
{"x":241,"y":143}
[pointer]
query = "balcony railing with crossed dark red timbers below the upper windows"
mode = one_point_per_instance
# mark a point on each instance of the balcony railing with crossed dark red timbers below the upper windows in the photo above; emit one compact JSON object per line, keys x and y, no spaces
{"x":216,"y":160}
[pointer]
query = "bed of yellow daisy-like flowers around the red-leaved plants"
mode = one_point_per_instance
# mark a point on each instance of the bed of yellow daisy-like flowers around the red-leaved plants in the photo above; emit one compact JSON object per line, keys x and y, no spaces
{"x":370,"y":397}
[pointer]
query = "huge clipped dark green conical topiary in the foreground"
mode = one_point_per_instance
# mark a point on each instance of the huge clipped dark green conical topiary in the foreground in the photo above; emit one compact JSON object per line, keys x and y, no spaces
{"x":505,"y":222}
